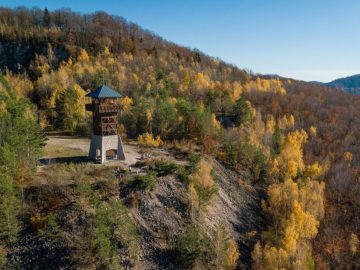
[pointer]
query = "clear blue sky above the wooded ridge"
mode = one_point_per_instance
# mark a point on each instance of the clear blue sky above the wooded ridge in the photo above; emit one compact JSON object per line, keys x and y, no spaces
{"x":302,"y":39}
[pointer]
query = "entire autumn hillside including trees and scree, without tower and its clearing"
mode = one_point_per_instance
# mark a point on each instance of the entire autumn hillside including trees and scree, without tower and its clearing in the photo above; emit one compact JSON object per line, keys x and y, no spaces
{"x":278,"y":188}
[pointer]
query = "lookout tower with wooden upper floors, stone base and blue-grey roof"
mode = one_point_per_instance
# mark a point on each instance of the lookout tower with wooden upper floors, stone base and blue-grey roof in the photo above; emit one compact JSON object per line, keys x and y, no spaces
{"x":105,"y":142}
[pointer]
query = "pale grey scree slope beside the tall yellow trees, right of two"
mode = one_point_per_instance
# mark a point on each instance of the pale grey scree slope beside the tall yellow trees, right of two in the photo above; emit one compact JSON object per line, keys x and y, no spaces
{"x":237,"y":206}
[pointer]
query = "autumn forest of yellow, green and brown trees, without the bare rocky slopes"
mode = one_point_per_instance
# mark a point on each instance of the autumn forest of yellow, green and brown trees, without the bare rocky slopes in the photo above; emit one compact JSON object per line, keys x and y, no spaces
{"x":298,"y":140}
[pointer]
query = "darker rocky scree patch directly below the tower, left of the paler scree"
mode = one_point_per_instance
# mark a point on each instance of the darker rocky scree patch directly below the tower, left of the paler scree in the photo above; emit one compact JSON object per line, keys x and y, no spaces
{"x":161,"y":215}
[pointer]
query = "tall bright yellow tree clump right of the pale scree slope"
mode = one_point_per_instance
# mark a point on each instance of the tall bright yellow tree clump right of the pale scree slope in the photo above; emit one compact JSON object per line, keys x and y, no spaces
{"x":295,"y":210}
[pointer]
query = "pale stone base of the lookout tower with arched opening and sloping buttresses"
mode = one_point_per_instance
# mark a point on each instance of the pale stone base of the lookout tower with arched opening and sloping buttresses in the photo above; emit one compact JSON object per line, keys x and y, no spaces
{"x":100,"y":144}
